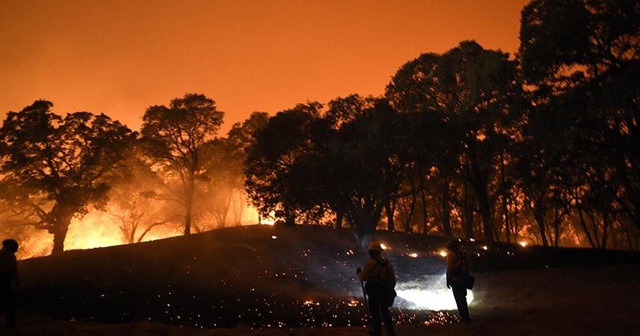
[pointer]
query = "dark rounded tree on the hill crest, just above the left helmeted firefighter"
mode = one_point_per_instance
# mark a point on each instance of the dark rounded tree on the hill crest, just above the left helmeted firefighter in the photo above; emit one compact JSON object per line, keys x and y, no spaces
{"x":367,"y":162}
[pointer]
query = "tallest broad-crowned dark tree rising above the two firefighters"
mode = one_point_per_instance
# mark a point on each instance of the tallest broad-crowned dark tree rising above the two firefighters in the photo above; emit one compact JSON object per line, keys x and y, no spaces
{"x":473,"y":90}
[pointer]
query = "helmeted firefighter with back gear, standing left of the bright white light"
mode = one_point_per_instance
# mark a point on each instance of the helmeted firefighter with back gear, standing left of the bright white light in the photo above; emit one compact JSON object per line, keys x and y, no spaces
{"x":381,"y":281}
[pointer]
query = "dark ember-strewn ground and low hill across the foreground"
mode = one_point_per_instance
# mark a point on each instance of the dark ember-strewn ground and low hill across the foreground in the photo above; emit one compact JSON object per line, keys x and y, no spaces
{"x":282,"y":281}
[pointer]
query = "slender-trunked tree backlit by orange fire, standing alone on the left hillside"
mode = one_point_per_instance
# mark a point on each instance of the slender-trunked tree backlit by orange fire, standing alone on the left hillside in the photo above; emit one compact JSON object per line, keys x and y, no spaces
{"x":174,"y":136}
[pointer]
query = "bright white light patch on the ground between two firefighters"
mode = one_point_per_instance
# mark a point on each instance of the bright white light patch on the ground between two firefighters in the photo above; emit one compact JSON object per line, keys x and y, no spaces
{"x":430,"y":293}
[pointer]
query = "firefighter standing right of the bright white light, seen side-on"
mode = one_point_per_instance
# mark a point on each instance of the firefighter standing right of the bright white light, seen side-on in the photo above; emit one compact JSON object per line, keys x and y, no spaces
{"x":457,"y":265}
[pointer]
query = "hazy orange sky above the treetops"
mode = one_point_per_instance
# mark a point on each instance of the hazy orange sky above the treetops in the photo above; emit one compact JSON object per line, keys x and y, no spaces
{"x":119,"y":57}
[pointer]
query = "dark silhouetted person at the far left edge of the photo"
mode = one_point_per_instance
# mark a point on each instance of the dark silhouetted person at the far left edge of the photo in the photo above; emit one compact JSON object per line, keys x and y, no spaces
{"x":9,"y":279}
